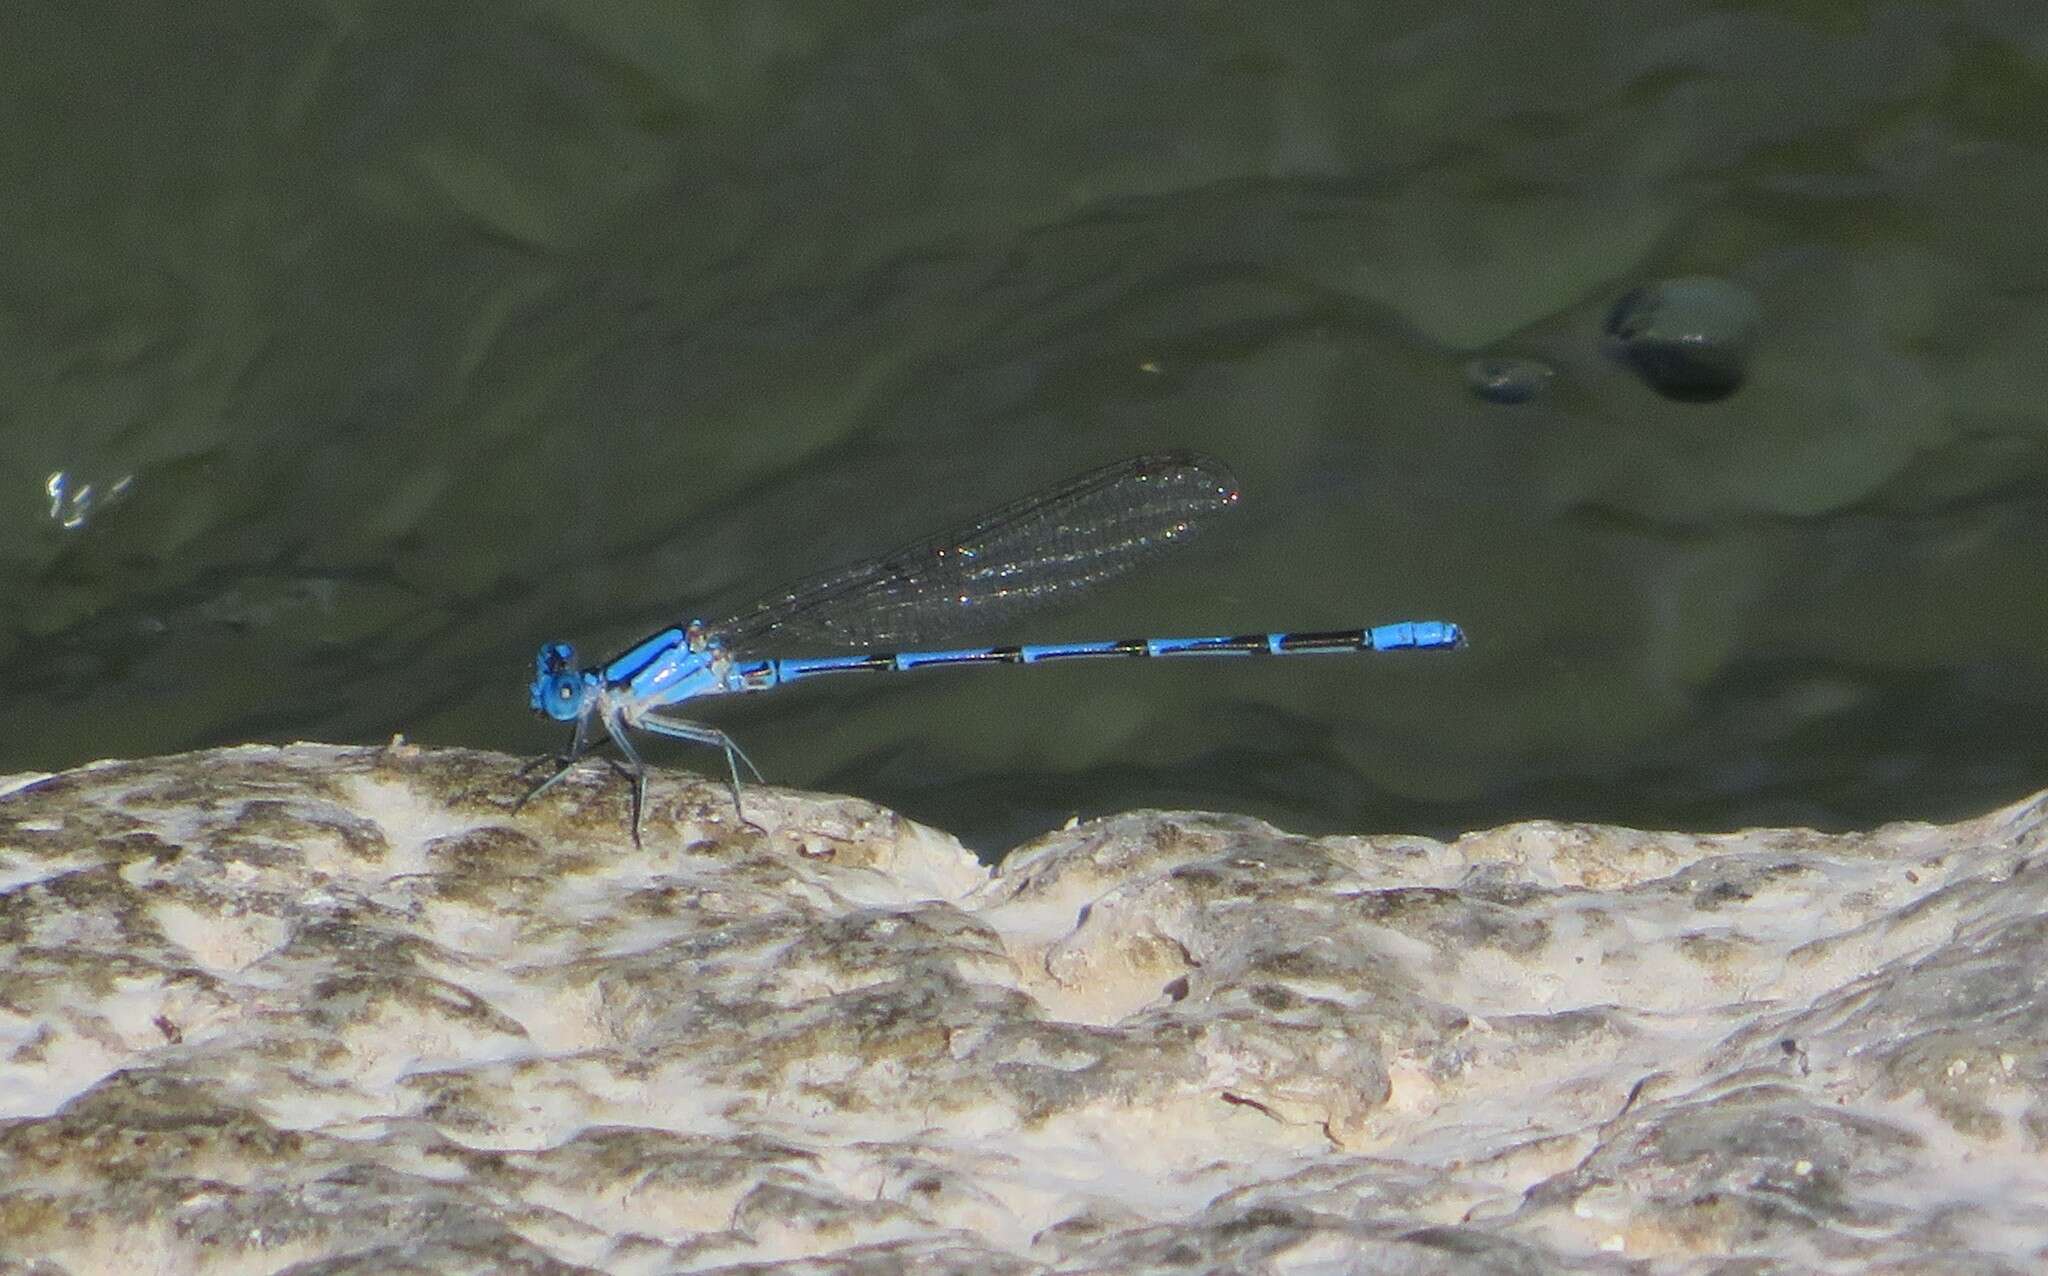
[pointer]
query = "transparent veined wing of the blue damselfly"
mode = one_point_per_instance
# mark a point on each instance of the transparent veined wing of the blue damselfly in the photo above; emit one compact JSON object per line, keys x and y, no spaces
{"x":1027,"y":556}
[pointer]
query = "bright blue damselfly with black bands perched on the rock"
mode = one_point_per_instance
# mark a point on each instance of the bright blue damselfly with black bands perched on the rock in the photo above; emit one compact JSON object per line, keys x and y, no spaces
{"x":1027,"y":556}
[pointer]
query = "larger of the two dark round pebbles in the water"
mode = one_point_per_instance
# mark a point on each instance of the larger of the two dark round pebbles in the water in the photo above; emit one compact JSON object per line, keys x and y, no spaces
{"x":1689,"y":337}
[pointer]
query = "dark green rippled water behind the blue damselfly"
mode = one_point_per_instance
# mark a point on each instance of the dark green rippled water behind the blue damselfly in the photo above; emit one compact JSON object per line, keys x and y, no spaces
{"x":429,"y":333}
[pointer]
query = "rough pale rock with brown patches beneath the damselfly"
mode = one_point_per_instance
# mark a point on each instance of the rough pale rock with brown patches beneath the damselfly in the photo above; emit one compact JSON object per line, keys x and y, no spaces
{"x":337,"y":1011}
